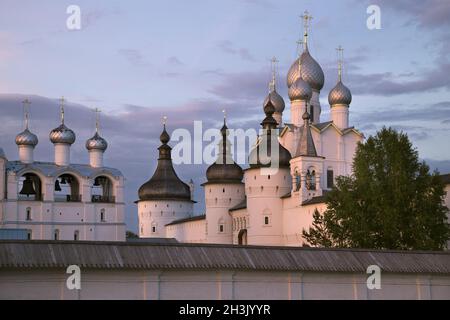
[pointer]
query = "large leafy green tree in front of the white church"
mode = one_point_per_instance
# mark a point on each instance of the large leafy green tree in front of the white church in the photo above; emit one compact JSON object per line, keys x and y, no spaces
{"x":390,"y":202}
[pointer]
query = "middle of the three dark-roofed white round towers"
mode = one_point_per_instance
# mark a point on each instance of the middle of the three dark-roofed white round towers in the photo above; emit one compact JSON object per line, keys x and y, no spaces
{"x":223,"y":190}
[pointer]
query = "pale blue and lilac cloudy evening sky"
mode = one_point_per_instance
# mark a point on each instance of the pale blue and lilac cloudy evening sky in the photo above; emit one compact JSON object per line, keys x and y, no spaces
{"x":141,"y":60}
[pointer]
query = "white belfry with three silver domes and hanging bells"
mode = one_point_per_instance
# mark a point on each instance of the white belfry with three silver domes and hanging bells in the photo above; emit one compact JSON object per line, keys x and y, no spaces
{"x":61,"y":200}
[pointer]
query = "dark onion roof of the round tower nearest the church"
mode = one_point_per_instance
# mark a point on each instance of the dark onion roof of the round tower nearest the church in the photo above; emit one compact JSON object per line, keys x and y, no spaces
{"x":263,"y":158}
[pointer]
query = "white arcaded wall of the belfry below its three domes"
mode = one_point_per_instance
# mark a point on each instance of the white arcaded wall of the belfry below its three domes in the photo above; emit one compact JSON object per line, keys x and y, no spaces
{"x":65,"y":218}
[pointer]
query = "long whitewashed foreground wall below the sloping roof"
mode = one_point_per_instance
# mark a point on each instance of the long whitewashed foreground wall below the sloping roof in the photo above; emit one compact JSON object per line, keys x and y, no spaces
{"x":218,"y":284}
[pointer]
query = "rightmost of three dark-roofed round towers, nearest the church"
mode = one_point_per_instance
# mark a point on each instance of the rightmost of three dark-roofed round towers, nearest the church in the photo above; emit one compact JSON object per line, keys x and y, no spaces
{"x":266,"y":181}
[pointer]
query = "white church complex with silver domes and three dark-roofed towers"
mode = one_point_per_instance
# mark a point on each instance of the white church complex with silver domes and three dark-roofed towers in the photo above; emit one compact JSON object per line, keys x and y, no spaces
{"x":253,"y":206}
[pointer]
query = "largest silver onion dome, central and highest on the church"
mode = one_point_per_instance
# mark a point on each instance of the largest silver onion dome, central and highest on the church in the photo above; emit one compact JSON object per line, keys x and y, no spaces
{"x":311,"y":72}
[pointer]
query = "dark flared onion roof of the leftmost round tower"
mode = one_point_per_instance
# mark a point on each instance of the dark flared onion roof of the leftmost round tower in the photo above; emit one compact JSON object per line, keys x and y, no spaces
{"x":164,"y":184}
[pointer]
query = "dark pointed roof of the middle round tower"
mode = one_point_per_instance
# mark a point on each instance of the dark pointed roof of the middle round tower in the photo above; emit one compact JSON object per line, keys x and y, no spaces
{"x":224,"y":170}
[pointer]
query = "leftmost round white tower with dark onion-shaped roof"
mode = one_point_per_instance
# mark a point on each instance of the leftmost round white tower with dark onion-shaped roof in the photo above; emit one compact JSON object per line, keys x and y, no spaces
{"x":164,"y":198}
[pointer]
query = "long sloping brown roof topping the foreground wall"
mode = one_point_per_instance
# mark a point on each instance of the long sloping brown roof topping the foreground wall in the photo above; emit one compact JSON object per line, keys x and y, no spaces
{"x":123,"y":255}
